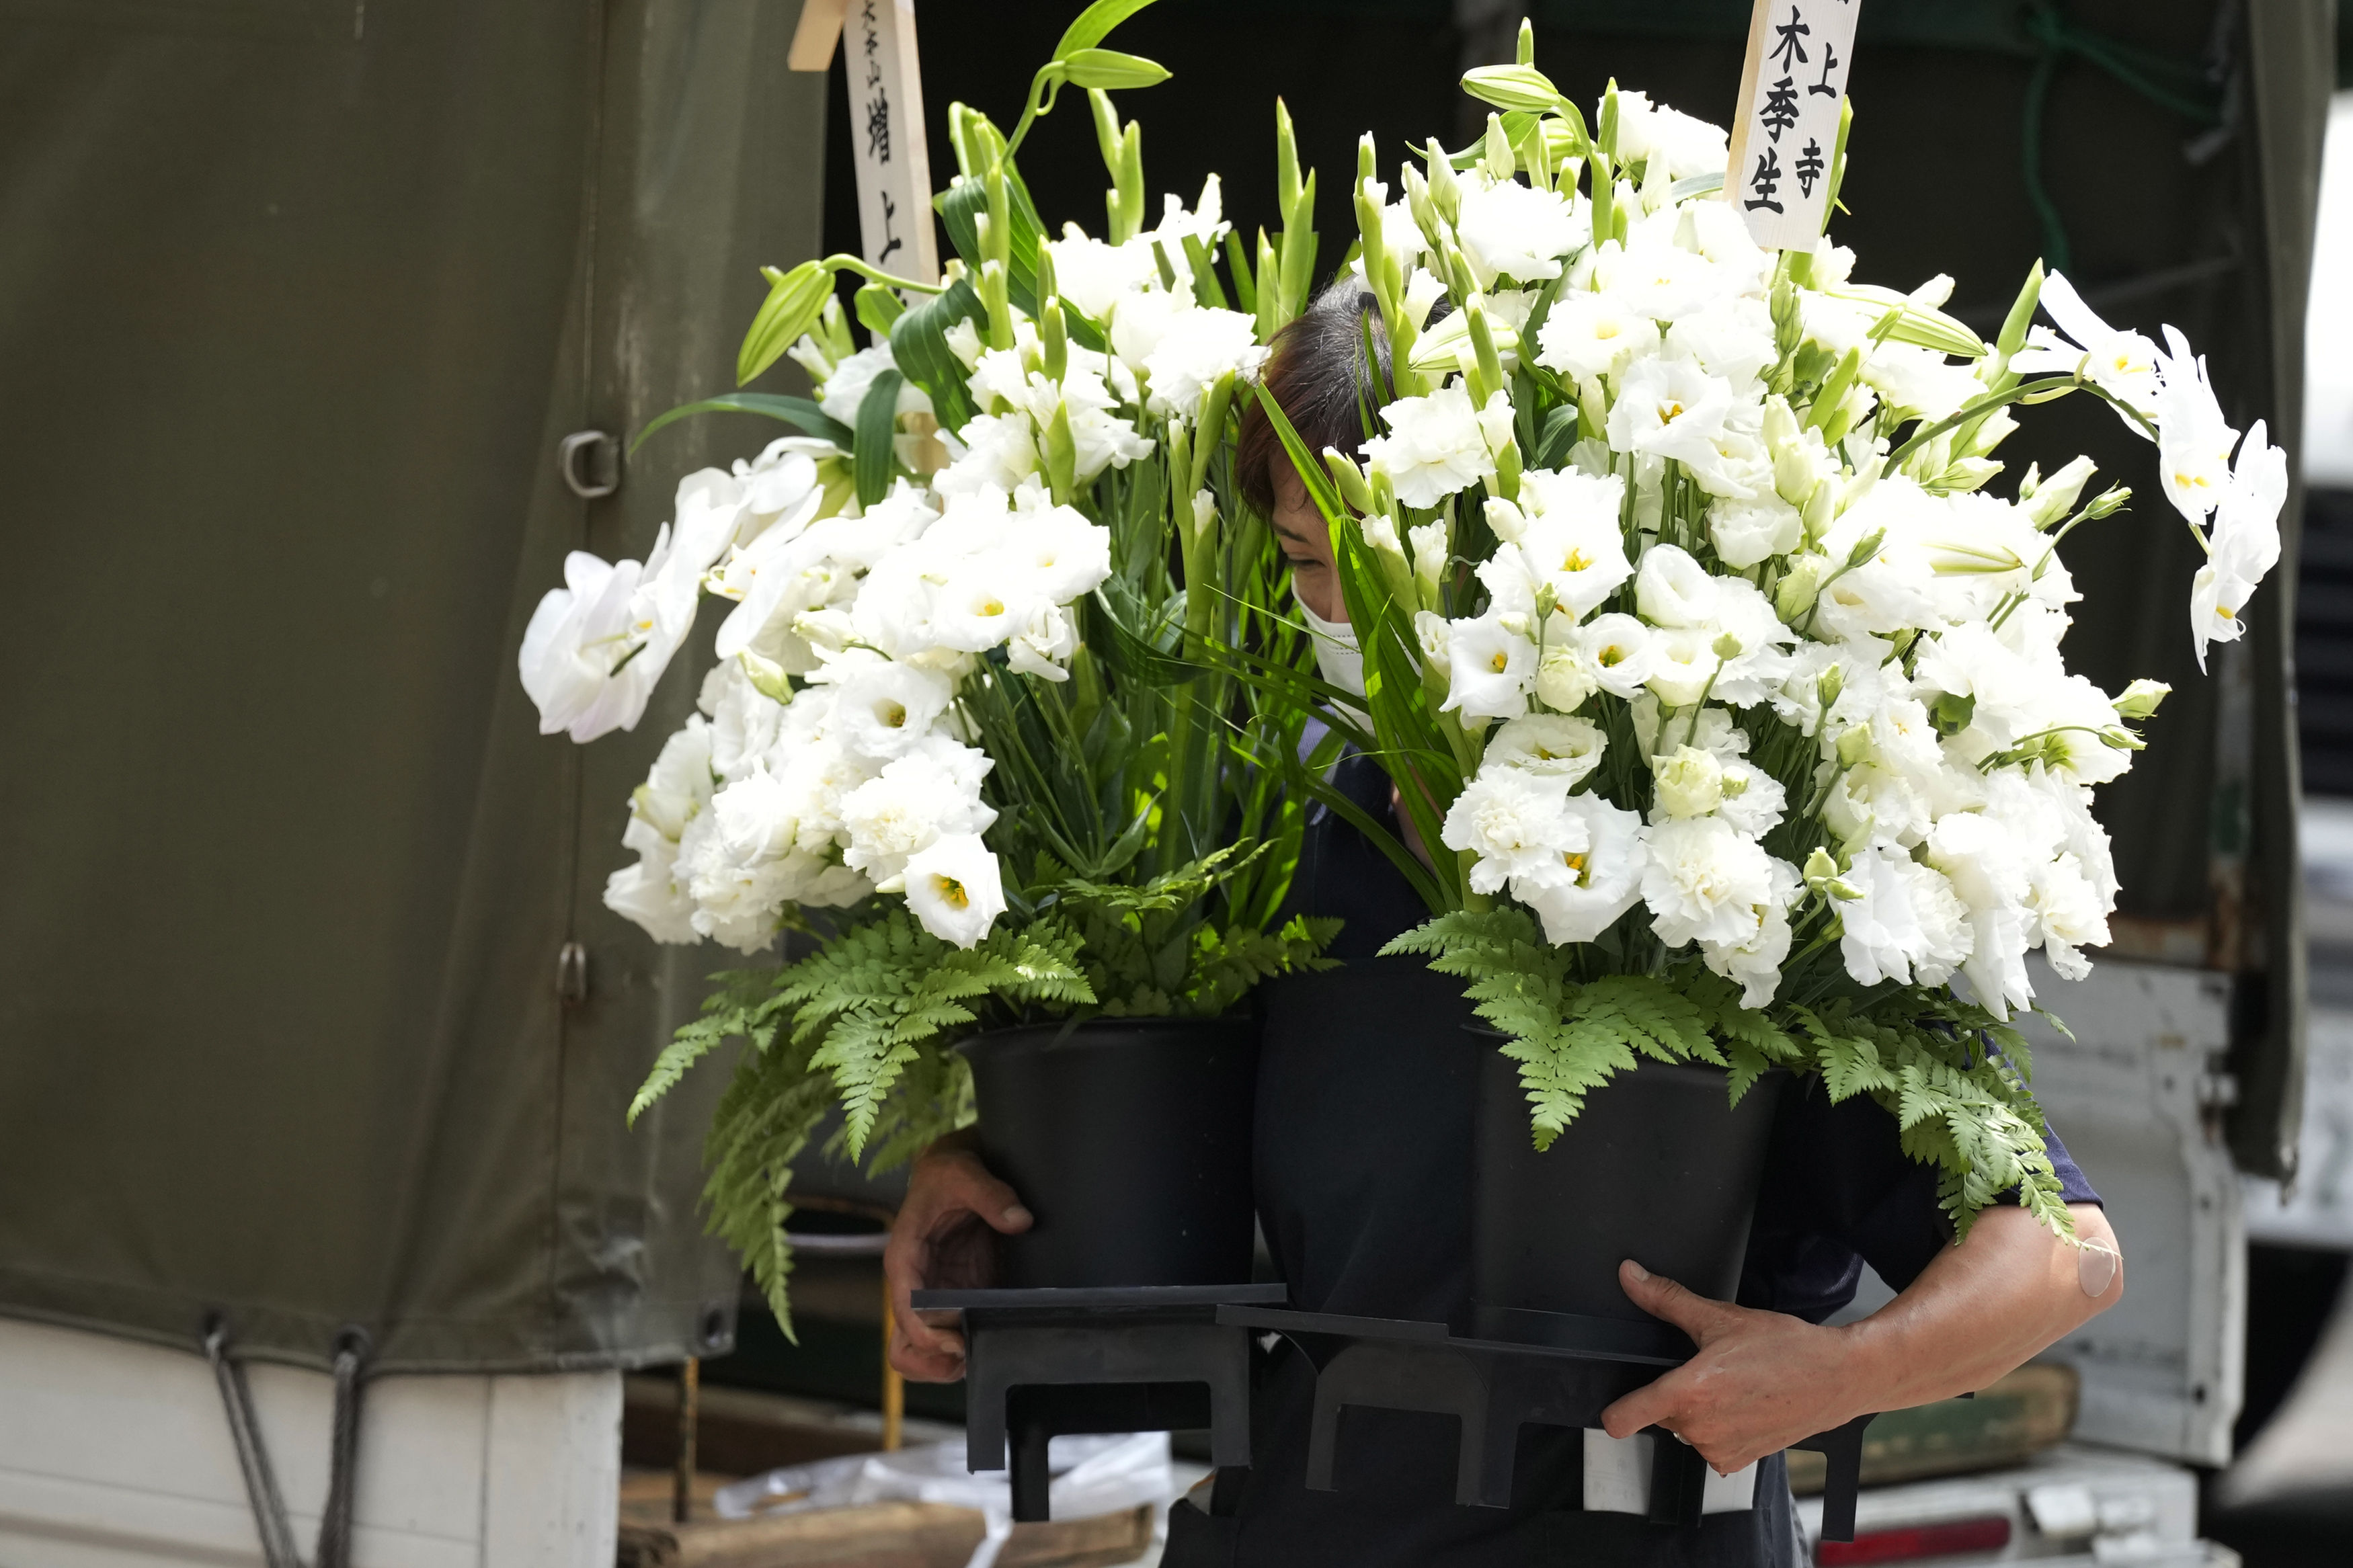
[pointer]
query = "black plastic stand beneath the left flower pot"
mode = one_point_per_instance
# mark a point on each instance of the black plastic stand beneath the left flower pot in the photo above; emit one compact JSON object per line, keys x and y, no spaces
{"x":1044,"y":1365}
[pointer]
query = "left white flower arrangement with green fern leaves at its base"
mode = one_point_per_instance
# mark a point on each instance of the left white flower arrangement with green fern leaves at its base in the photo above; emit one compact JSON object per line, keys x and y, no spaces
{"x":968,"y":730}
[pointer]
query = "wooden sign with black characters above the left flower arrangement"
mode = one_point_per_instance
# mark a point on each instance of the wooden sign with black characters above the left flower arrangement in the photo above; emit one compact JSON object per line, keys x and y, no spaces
{"x":886,"y":126}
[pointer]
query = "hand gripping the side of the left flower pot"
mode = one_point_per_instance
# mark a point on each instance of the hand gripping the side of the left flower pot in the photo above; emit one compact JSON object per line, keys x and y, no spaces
{"x":942,"y":1240}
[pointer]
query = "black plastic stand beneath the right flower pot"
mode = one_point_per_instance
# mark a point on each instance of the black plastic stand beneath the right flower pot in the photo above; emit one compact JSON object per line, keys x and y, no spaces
{"x":1566,"y":1374}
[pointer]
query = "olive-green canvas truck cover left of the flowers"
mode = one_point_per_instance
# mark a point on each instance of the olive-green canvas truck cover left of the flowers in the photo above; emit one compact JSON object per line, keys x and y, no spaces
{"x":298,"y":302}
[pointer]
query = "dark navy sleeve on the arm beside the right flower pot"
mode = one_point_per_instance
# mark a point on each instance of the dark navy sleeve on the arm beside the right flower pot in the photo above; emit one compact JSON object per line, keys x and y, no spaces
{"x":1841,"y":1193}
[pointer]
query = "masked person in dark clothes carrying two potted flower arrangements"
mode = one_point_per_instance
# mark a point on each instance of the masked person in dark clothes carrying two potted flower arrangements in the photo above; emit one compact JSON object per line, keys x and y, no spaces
{"x":1364,"y":1155}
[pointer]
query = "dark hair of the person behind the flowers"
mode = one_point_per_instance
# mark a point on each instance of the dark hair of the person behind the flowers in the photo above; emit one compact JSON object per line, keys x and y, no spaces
{"x":1317,"y":377}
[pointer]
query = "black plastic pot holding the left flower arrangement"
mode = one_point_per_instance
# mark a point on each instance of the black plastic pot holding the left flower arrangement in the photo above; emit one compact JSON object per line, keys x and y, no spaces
{"x":1128,"y":1139}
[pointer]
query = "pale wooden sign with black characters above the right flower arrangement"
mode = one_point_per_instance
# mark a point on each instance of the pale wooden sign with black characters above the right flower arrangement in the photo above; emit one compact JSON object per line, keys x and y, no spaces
{"x":1787,"y":126}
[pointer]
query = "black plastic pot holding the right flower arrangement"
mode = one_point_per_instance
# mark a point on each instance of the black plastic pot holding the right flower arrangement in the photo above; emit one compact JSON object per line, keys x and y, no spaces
{"x":1655,"y":1170}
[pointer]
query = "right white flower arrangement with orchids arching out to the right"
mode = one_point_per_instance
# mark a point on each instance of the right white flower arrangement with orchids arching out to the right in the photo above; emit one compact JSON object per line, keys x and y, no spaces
{"x":1731,"y":518}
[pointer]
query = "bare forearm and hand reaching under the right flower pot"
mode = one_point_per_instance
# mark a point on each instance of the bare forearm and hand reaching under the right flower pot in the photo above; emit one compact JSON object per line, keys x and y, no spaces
{"x":1764,"y":1381}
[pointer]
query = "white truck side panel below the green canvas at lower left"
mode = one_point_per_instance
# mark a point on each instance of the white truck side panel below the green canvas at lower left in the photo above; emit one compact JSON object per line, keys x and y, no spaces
{"x":116,"y":1454}
